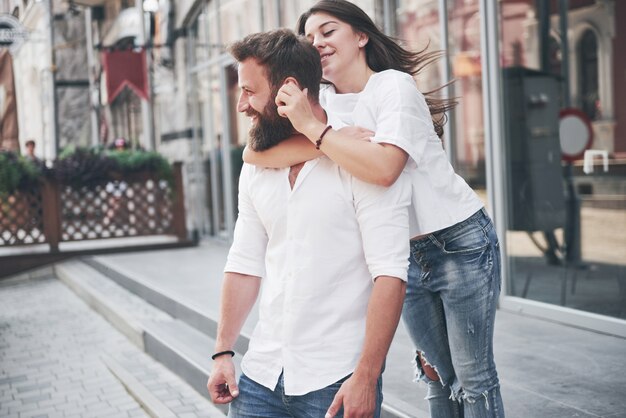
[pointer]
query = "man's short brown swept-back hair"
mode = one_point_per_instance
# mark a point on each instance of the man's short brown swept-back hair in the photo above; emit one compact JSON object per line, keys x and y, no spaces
{"x":283,"y":54}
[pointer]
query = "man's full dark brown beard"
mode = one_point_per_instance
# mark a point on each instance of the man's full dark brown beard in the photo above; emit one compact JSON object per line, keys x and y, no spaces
{"x":270,"y":128}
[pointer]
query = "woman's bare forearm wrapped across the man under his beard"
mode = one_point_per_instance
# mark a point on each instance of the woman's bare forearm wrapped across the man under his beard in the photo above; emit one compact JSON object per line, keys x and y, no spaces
{"x":294,"y":150}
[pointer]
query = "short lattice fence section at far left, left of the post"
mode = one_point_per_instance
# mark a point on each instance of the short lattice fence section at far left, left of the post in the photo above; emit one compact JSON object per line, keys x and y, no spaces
{"x":21,"y":218}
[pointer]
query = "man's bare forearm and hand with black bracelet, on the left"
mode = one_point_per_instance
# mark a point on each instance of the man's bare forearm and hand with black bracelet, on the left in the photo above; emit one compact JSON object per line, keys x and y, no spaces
{"x":239,"y":292}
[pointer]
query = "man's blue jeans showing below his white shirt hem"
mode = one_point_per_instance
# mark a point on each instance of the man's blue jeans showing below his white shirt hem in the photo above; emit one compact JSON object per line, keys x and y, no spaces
{"x":257,"y":401}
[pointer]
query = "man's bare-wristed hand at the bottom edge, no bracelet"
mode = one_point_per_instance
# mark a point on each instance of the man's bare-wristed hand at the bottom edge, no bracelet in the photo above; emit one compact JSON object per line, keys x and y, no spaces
{"x":358,"y":397}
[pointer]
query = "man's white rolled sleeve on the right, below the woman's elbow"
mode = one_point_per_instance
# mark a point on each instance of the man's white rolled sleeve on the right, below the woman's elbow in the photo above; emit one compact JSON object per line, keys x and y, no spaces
{"x":382,"y":214}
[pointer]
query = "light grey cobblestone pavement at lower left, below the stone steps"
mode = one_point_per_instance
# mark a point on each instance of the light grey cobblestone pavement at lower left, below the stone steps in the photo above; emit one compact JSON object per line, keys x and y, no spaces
{"x":52,"y":348}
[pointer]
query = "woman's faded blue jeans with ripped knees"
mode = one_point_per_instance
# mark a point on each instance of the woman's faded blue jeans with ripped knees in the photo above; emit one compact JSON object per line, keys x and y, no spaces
{"x":449,"y":312}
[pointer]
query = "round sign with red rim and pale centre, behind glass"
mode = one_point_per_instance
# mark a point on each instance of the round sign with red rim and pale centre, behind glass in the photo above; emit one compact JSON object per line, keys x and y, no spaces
{"x":575,"y":133}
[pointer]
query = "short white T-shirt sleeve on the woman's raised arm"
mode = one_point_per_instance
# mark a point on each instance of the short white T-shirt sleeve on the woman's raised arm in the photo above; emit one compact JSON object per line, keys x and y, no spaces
{"x":402,"y":115}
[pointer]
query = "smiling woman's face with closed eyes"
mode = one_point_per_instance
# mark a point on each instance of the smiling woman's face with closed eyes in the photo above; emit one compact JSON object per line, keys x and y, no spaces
{"x":340,"y":47}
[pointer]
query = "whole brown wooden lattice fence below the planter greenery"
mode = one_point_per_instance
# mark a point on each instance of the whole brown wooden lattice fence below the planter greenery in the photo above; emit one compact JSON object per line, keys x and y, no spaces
{"x":137,"y":205}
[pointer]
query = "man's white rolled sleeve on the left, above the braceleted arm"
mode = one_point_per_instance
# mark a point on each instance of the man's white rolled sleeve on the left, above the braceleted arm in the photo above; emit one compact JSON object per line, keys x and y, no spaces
{"x":247,"y":253}
